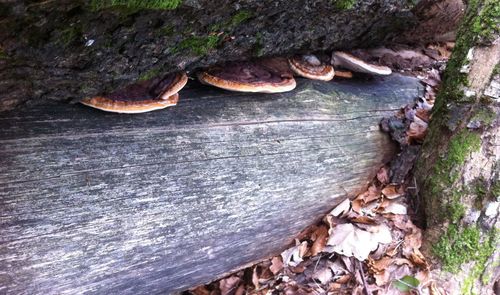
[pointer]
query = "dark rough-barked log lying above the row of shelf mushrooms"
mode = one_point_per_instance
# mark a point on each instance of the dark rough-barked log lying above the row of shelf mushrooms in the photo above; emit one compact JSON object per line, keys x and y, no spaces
{"x":63,"y":50}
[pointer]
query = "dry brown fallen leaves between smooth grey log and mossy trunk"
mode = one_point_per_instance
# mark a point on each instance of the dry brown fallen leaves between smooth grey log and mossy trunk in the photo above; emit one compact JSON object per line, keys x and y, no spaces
{"x":367,"y":245}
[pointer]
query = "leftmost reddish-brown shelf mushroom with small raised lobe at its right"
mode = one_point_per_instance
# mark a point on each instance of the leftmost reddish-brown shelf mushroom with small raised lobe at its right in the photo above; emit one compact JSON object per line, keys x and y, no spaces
{"x":141,"y":97}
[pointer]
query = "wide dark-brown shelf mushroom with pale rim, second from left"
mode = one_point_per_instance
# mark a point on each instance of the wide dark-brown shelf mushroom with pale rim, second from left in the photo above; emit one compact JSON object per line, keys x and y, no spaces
{"x":265,"y":75}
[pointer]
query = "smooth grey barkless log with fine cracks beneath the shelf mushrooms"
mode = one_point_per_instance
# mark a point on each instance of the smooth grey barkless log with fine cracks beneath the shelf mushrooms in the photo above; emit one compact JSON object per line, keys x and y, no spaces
{"x":93,"y":202}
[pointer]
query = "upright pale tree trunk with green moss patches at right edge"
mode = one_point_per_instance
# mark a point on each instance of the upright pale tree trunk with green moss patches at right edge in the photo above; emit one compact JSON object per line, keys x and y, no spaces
{"x":459,"y":169}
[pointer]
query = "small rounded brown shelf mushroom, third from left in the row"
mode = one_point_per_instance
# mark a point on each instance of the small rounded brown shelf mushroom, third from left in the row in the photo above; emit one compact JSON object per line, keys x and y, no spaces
{"x":309,"y":66}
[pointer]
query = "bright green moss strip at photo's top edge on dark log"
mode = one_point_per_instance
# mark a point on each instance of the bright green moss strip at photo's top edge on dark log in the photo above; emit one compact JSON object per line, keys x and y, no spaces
{"x":136,"y":5}
